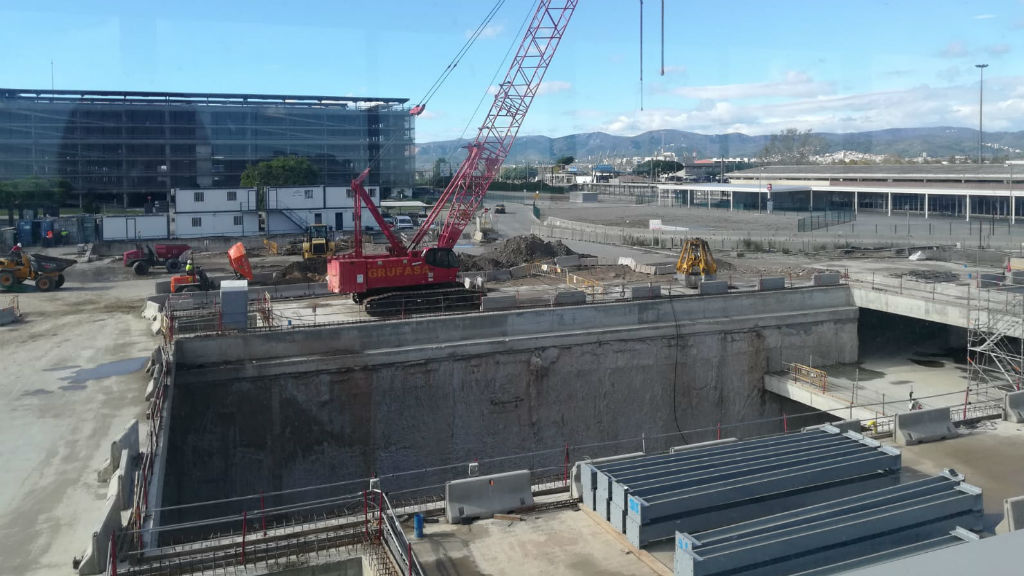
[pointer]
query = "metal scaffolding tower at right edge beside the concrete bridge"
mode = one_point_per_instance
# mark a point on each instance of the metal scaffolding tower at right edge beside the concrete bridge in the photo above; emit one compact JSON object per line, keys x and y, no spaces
{"x":996,"y":340}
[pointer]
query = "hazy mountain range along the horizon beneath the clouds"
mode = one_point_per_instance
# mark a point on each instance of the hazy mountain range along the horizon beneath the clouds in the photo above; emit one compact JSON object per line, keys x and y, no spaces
{"x":938,"y":143}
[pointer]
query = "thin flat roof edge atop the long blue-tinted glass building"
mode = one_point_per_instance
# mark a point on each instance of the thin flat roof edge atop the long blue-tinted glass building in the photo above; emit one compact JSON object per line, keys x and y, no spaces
{"x":198,"y":99}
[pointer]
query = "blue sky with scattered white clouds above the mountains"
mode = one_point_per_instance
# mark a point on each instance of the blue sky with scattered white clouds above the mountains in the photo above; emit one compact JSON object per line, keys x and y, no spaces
{"x":751,"y":67}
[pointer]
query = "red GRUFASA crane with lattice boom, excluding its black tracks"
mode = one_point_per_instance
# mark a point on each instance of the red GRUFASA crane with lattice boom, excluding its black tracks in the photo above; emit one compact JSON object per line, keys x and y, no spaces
{"x":405,"y":268}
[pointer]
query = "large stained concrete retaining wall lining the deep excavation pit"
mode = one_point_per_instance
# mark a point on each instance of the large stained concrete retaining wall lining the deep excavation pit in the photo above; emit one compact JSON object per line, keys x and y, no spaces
{"x":297,"y":408}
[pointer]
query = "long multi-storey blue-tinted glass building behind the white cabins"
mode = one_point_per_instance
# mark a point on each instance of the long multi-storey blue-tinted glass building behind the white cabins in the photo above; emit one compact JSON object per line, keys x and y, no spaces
{"x":112,"y":145}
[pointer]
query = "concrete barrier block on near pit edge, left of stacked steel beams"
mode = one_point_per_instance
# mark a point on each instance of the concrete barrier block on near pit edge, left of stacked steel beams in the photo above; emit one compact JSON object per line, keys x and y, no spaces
{"x":487,"y":496}
